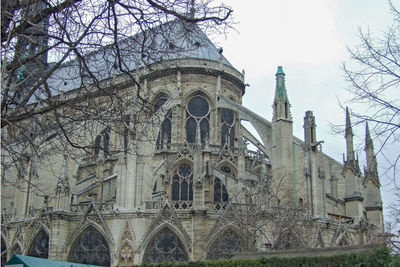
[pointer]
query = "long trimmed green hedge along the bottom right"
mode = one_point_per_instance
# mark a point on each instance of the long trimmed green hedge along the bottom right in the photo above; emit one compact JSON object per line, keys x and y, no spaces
{"x":376,"y":257}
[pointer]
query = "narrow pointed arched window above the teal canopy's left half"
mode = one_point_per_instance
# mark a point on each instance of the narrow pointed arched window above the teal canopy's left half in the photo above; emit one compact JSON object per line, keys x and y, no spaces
{"x":39,"y":243}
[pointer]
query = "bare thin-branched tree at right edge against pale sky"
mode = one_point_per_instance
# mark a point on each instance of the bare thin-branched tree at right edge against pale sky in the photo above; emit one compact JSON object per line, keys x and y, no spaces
{"x":373,"y":77}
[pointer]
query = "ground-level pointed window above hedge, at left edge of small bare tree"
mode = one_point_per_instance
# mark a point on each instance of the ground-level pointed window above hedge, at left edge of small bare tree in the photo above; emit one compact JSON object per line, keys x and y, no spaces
{"x":225,"y":246}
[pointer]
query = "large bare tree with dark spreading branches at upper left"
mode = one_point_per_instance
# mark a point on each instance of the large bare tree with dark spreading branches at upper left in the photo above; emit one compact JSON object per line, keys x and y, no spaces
{"x":67,"y":64}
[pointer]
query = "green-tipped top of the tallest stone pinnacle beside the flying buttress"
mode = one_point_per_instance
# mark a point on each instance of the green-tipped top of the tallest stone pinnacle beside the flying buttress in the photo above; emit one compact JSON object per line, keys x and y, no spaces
{"x":281,"y":105}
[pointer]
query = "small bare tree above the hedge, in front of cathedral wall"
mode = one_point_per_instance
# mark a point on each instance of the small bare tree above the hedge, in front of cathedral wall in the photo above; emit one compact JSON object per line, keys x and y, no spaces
{"x":265,"y":217}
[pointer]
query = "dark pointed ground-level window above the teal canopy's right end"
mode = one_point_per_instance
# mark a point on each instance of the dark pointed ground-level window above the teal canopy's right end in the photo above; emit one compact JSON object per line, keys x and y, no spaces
{"x":90,"y":248}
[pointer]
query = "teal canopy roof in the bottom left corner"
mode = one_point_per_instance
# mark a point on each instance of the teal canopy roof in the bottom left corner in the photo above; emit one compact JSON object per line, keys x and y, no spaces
{"x":28,"y":261}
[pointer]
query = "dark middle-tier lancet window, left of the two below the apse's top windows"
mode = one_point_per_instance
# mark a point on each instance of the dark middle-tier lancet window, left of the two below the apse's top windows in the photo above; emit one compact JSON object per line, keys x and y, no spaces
{"x":182,"y":187}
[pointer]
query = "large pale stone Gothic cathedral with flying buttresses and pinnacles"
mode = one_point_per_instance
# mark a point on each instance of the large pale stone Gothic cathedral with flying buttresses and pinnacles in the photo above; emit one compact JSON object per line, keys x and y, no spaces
{"x":185,"y":180}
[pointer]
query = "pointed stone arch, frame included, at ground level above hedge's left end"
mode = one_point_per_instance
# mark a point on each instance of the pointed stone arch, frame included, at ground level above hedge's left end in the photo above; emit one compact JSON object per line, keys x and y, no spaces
{"x":165,"y":243}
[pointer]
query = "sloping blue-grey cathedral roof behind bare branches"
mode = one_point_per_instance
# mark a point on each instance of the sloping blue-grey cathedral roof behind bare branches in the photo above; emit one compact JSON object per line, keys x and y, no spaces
{"x":168,"y":41}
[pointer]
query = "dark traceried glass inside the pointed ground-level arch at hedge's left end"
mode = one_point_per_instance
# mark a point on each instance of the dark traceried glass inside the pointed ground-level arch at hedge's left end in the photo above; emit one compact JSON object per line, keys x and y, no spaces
{"x":165,"y":246}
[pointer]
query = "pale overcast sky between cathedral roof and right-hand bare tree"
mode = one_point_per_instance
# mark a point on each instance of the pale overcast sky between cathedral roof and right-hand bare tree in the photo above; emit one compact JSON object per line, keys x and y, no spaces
{"x":309,"y":39}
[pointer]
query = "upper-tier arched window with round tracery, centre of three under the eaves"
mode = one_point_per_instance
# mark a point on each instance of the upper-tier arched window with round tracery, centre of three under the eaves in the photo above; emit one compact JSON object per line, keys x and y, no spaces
{"x":197,"y":119}
